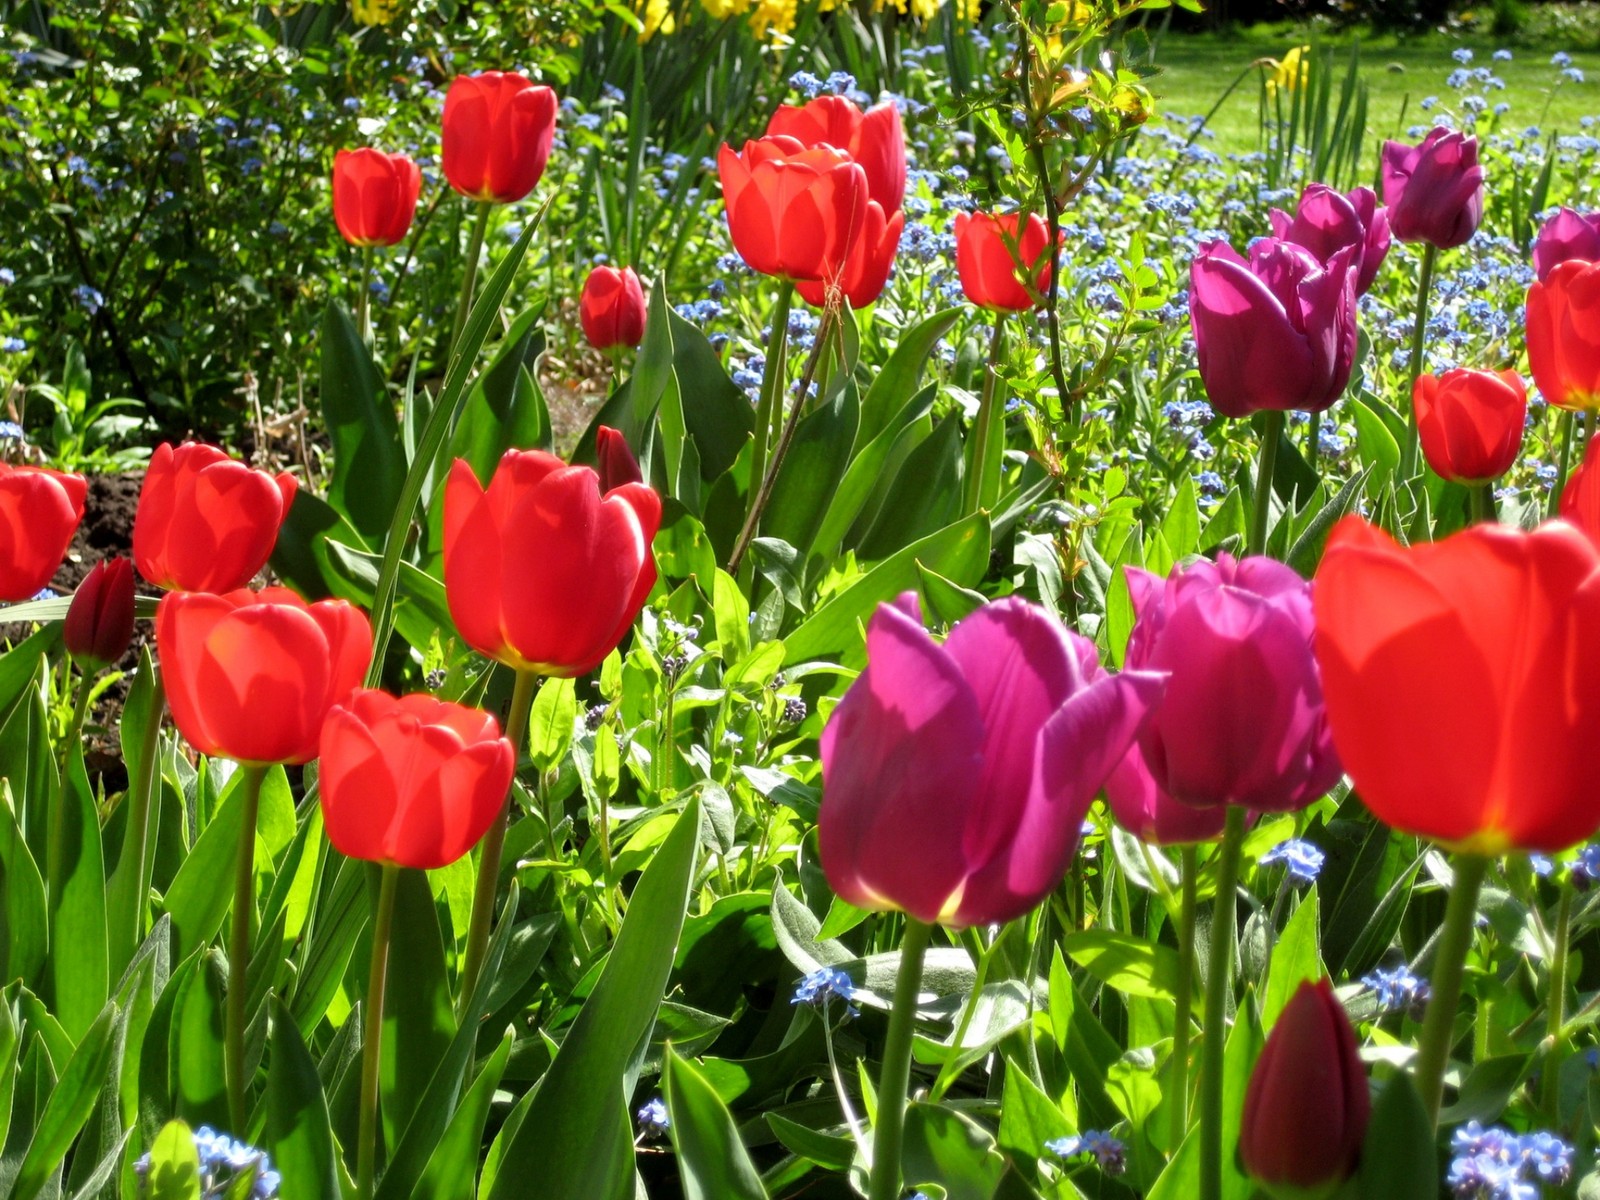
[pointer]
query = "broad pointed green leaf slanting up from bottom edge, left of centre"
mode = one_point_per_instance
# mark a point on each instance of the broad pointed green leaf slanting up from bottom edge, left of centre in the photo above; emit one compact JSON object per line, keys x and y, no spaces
{"x":570,"y":1140}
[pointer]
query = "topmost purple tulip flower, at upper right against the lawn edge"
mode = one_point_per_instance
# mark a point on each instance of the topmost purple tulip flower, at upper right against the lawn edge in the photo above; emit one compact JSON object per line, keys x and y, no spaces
{"x":1436,"y":190}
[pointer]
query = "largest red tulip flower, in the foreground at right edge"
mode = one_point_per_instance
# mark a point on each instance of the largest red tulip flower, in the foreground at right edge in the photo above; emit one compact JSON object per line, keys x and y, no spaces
{"x":1460,"y":682}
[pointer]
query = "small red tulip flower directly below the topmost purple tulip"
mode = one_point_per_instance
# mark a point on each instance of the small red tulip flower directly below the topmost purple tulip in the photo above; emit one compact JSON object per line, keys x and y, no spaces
{"x":1471,"y":423}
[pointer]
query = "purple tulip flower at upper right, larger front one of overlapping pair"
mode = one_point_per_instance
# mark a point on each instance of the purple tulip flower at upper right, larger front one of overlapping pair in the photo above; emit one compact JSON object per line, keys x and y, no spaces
{"x":1276,"y":330}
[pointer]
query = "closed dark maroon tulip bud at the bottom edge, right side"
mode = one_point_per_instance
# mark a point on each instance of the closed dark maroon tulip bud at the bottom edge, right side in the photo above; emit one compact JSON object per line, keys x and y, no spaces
{"x":1306,"y":1108}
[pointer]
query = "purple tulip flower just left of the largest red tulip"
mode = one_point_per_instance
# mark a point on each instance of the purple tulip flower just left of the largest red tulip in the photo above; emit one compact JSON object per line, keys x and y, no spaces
{"x":1242,"y":718}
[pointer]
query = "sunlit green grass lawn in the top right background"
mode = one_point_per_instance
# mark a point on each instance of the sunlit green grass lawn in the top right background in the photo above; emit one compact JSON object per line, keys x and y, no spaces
{"x":1399,"y":74}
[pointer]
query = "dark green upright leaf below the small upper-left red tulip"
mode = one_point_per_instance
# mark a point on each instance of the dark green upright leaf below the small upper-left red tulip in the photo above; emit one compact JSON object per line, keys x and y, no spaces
{"x":369,"y":462}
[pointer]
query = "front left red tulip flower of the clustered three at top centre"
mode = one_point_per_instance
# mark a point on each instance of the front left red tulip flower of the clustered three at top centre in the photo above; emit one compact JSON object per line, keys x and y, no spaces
{"x":793,"y":212}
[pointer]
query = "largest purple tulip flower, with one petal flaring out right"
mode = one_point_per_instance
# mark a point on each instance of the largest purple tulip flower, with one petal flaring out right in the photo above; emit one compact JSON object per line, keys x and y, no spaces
{"x":956,"y":777}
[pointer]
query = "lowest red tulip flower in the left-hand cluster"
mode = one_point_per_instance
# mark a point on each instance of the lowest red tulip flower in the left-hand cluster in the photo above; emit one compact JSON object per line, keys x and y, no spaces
{"x":410,"y":780}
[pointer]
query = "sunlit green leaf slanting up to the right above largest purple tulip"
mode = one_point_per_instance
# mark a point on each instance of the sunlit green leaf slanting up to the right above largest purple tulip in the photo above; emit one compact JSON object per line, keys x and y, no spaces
{"x":959,"y":553}
